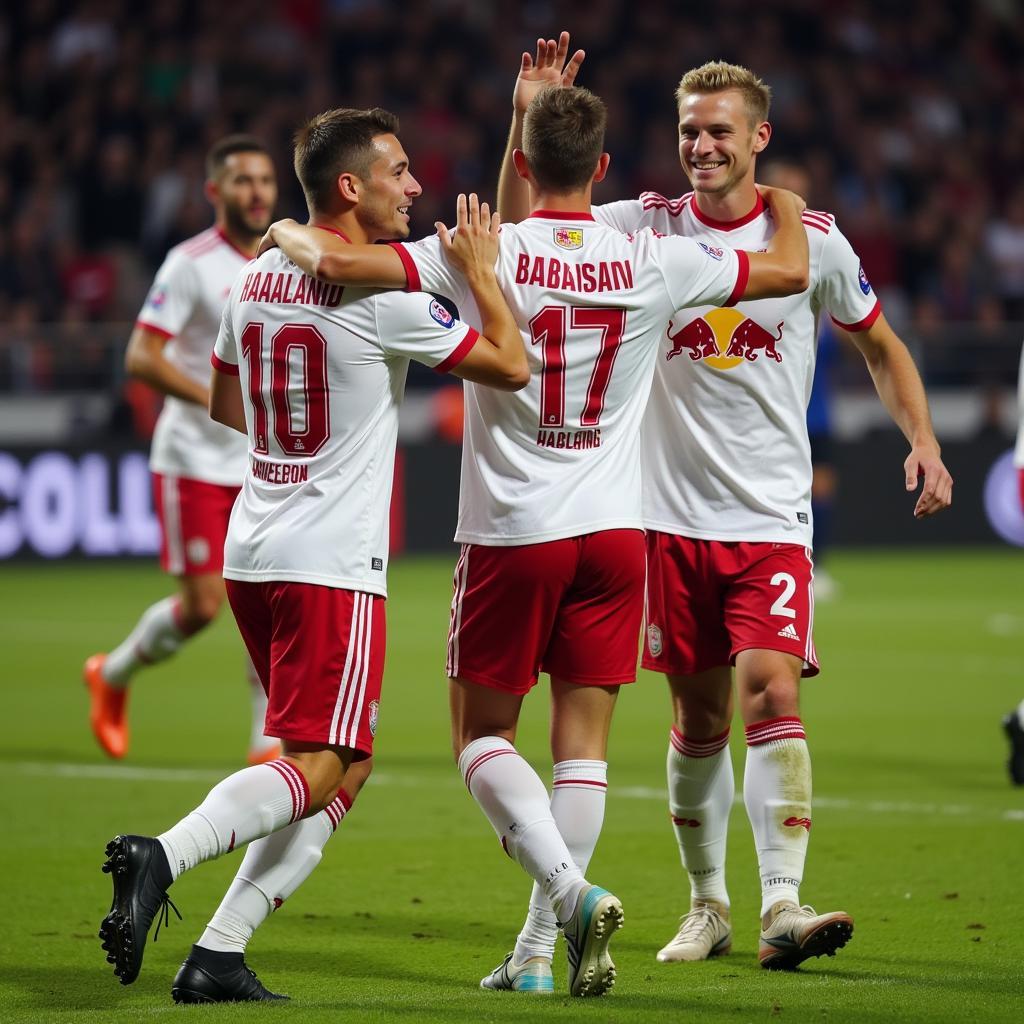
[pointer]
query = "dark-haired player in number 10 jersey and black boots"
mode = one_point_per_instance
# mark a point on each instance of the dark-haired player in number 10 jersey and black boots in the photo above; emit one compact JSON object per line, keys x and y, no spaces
{"x":315,"y":375}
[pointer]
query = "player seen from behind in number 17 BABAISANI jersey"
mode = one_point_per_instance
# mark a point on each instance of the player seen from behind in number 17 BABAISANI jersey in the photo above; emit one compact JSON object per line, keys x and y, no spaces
{"x":551,"y":573}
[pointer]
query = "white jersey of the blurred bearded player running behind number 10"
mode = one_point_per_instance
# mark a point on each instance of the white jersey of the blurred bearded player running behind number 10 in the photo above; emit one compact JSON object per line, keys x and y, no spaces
{"x":185,"y":306}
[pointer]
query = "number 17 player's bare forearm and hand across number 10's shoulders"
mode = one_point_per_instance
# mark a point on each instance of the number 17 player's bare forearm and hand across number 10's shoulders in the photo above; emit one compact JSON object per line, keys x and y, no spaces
{"x":328,"y":258}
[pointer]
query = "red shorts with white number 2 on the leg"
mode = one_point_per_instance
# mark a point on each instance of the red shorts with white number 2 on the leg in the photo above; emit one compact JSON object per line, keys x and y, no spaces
{"x":709,"y":601}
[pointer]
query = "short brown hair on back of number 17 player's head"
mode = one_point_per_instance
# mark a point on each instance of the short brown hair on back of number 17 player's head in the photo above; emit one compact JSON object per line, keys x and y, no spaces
{"x":564,"y":138}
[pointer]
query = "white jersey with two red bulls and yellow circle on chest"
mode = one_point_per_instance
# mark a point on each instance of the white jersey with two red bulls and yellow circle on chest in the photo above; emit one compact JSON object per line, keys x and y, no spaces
{"x":726,"y":449}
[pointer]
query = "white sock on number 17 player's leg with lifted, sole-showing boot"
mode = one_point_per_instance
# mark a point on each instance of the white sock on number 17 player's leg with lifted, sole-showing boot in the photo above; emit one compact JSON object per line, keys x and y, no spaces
{"x":514,"y":798}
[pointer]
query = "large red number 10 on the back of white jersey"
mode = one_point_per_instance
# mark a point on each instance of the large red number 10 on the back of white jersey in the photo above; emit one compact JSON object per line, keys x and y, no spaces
{"x":302,"y":419}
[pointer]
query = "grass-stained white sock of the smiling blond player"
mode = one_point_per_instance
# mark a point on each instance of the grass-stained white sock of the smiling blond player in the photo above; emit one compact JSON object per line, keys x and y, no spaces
{"x":778,"y":795}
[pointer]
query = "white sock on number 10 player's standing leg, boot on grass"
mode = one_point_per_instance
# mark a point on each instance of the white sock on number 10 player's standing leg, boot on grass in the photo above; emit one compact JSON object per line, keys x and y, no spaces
{"x":272,"y":870}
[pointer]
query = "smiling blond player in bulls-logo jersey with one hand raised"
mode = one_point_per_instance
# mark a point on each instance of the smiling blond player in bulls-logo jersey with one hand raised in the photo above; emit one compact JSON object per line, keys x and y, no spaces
{"x":727,"y":471}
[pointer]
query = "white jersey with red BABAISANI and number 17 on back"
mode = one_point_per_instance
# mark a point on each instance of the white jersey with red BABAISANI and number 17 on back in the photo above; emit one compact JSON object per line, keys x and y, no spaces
{"x":562,"y":458}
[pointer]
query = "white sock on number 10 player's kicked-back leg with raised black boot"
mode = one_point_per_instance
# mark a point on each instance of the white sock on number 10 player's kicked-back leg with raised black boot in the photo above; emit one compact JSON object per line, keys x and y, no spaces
{"x":248,"y":805}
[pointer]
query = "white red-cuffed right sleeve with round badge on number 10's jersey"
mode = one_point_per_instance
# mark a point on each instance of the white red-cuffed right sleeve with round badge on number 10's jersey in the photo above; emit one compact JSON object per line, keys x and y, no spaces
{"x":418,"y":327}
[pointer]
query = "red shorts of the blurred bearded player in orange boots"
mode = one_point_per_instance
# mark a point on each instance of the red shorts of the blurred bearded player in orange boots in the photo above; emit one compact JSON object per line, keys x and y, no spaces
{"x":193,"y":524}
